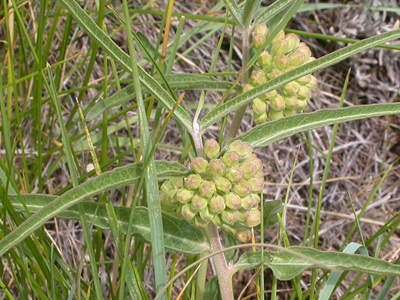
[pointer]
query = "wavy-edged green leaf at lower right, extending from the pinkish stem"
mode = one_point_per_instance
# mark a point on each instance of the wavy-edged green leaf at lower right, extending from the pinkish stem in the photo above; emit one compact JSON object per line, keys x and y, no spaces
{"x":287,"y":265}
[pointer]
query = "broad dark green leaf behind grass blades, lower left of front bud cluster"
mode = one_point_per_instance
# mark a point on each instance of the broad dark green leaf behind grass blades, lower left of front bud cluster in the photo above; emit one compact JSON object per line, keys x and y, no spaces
{"x":179,"y":236}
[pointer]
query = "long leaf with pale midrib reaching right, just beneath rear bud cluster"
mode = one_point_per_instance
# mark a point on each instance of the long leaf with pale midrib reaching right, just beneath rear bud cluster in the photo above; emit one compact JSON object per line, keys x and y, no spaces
{"x":263,"y":135}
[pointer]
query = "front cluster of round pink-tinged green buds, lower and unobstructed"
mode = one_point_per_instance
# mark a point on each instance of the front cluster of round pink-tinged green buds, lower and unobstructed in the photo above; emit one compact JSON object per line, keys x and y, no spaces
{"x":223,"y":190}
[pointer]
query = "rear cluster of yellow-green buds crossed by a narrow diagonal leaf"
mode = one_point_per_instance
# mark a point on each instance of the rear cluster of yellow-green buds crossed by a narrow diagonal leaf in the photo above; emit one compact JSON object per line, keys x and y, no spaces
{"x":285,"y":53}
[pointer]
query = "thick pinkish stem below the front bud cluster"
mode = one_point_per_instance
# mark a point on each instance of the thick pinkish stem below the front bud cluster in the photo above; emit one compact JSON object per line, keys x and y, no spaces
{"x":224,"y":271}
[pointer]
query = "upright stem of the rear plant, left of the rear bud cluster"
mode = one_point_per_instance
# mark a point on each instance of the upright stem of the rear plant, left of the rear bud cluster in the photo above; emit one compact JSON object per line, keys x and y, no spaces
{"x":237,"y":119}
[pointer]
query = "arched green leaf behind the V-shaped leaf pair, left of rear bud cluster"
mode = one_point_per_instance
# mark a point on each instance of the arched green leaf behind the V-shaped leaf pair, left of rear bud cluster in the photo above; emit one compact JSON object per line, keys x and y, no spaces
{"x":176,"y":81}
